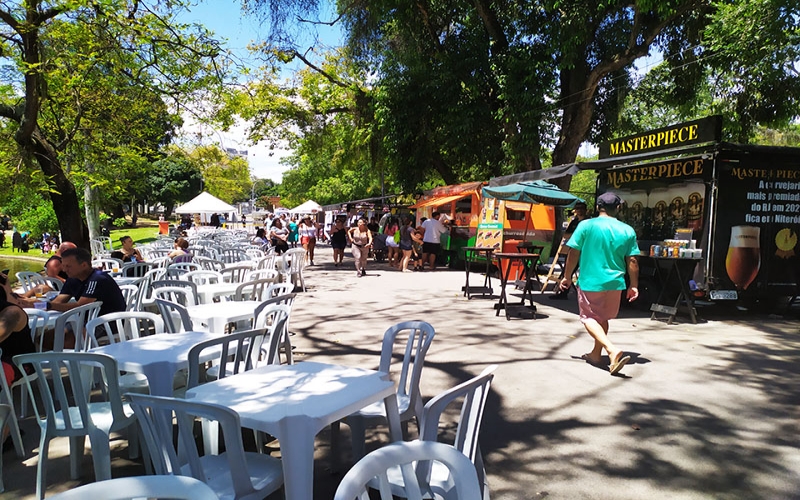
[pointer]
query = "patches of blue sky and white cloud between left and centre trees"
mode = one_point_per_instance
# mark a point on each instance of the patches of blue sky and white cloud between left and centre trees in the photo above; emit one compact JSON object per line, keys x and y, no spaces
{"x":225,"y":19}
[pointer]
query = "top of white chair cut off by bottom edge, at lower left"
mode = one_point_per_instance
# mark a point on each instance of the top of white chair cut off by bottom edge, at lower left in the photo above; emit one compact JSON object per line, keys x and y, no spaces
{"x":129,"y":488}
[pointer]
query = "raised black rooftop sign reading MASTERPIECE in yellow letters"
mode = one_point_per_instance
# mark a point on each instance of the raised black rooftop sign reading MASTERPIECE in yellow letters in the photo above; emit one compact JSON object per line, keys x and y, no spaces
{"x":683,"y":134}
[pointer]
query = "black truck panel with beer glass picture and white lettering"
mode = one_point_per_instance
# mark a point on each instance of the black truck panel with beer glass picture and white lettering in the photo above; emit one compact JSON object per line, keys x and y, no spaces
{"x":758,"y":220}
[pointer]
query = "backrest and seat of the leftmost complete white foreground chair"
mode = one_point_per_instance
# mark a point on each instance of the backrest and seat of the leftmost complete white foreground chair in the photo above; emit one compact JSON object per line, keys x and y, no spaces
{"x":56,"y":394}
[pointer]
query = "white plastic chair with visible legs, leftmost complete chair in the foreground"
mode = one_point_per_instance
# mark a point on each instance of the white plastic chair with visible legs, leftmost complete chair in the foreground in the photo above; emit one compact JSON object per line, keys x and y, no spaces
{"x":76,"y":417}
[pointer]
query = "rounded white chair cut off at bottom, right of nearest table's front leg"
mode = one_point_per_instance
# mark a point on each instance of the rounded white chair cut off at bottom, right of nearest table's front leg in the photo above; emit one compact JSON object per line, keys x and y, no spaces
{"x":405,"y":456}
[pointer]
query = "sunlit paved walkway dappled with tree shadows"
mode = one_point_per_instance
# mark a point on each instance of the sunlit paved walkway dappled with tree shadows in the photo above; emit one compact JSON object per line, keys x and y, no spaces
{"x":704,"y":411}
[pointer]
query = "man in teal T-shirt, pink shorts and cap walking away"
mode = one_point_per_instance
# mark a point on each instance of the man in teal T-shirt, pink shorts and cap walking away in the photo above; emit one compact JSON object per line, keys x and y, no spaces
{"x":604,"y":247}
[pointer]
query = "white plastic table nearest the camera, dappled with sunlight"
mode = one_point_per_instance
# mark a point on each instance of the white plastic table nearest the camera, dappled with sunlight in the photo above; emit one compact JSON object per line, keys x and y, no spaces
{"x":294,"y":402}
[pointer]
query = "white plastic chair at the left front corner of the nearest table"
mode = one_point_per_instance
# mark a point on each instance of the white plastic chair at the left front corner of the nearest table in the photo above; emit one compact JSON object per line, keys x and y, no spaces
{"x":235,"y":474}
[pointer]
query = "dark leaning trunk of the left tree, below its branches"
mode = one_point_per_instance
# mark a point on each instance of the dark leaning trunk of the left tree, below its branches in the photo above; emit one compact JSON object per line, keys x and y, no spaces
{"x":63,"y":193}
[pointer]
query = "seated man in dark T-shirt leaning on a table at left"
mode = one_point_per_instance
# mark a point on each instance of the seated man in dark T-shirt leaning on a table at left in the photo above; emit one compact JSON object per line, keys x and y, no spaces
{"x":86,"y":285}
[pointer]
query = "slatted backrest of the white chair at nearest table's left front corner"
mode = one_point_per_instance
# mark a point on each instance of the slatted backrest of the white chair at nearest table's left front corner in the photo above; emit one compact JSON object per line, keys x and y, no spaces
{"x":156,"y":421}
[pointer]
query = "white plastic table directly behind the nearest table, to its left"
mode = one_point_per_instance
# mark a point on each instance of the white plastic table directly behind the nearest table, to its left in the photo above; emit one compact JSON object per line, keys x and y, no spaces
{"x":158,"y":356}
